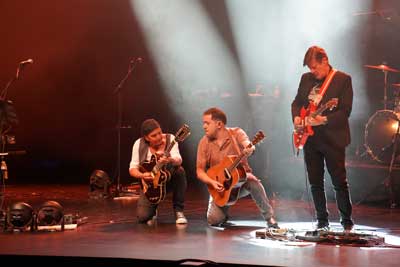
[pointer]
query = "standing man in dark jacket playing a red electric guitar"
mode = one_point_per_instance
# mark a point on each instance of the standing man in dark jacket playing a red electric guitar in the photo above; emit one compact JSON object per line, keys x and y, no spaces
{"x":320,"y":113}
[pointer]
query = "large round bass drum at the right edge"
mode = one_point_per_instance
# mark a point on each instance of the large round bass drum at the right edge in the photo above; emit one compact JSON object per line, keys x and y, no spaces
{"x":380,"y":133}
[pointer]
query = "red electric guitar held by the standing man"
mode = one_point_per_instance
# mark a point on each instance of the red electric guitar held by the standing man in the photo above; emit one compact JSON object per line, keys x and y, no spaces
{"x":301,"y":135}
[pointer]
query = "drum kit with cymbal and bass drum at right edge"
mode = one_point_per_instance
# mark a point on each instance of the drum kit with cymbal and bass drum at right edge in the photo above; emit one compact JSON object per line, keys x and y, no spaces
{"x":382,"y":139}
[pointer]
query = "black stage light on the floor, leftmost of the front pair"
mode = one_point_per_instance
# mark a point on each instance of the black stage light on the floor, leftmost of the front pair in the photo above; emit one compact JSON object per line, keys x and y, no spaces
{"x":19,"y":217}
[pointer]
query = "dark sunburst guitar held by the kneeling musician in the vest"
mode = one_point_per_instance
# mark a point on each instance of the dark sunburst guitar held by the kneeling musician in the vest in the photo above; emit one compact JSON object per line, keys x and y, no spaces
{"x":155,"y":190}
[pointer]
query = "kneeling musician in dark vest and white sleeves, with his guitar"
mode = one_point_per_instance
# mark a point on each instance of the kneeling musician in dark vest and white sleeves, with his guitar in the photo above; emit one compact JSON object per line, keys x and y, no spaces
{"x":157,"y":162}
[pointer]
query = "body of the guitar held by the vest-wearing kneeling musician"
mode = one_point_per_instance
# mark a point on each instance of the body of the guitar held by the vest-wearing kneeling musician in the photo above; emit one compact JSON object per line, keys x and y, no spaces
{"x":156,"y":189}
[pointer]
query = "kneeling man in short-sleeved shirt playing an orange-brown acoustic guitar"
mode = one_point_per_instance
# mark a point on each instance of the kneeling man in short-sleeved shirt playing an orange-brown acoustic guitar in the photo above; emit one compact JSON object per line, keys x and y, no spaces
{"x":223,"y":167}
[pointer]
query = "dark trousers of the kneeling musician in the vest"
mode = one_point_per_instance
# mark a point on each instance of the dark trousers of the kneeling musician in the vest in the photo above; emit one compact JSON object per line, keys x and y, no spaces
{"x":177,"y":185}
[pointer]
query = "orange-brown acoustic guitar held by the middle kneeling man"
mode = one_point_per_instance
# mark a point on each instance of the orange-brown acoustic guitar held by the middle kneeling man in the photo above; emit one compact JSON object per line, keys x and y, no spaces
{"x":231,"y":174}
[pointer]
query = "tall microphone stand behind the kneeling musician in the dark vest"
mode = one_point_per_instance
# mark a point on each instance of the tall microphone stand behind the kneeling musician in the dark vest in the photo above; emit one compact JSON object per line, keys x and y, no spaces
{"x":118,"y":91}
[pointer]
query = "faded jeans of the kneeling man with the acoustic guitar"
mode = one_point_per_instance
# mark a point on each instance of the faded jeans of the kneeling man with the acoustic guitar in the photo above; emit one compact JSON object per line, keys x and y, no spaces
{"x":217,"y":215}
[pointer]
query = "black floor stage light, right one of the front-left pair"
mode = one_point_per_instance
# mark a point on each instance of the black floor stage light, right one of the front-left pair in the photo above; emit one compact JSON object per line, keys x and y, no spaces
{"x":50,"y":213}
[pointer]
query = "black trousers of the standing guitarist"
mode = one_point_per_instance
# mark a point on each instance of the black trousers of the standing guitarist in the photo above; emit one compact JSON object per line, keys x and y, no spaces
{"x":316,"y":154}
